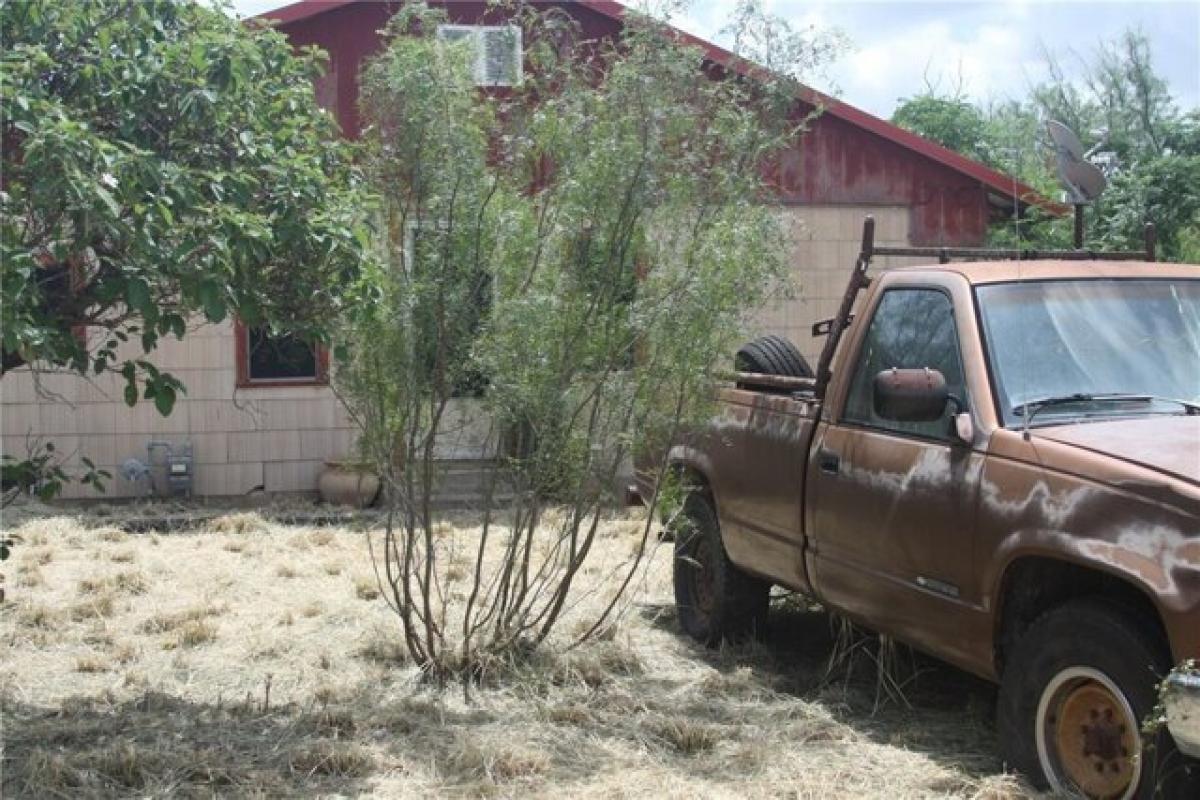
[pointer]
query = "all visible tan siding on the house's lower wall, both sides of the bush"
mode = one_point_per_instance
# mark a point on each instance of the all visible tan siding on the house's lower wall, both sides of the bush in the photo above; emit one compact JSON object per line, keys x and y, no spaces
{"x":279,"y":438}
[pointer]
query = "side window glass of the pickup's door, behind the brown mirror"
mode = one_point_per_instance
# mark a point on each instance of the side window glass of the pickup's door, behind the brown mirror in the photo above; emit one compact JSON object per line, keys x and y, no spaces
{"x":911,"y":329}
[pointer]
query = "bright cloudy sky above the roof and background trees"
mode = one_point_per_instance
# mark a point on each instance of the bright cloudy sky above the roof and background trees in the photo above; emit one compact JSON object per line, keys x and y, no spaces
{"x":994,"y":51}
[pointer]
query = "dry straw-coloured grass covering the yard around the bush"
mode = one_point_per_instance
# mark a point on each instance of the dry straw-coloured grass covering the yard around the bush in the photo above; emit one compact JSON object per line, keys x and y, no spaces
{"x":256,"y":659}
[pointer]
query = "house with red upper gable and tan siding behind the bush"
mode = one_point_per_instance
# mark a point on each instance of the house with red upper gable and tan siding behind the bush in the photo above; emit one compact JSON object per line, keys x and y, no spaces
{"x":260,"y":414}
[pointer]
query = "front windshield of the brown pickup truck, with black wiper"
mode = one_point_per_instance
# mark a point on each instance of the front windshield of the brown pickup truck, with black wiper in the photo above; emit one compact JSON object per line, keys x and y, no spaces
{"x":1091,"y":339}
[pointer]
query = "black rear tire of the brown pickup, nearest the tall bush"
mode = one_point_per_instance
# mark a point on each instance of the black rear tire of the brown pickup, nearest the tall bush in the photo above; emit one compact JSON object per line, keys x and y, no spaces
{"x":715,"y":599}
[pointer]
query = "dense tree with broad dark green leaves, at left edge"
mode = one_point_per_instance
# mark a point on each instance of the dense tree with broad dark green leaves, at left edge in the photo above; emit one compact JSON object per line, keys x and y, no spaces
{"x":163,"y":161}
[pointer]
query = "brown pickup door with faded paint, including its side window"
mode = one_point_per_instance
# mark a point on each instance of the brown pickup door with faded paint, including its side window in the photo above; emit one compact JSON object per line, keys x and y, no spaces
{"x":892,"y":506}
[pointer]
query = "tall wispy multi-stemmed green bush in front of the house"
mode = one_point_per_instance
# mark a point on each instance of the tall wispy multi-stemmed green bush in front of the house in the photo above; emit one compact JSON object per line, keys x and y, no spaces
{"x":581,"y":249}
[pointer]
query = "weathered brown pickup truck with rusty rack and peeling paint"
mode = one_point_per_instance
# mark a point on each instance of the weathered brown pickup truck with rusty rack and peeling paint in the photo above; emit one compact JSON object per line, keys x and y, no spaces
{"x":998,"y":464}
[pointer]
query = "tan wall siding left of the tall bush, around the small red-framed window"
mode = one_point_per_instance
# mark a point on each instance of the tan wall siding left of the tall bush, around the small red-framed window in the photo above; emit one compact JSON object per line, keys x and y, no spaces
{"x":238,"y":437}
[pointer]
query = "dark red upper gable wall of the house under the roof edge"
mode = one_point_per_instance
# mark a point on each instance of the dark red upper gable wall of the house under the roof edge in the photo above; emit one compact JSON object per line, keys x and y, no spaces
{"x":836,"y":163}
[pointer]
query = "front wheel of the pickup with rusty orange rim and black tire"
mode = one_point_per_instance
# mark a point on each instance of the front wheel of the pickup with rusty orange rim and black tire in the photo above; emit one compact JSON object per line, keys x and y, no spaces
{"x":1059,"y":678}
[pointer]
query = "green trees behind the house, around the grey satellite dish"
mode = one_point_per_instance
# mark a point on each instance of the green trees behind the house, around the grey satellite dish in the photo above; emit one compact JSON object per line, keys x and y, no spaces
{"x":1120,"y":105}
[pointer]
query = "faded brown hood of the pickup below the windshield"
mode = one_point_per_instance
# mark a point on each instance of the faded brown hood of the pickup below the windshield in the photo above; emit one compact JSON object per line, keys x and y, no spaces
{"x":1166,"y":444}
